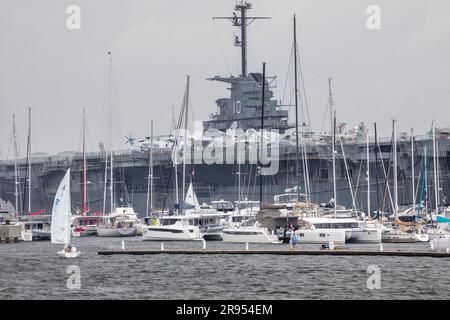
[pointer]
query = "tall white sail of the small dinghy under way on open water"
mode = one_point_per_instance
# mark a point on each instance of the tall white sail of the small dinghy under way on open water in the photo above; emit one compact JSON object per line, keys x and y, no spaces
{"x":60,"y":228}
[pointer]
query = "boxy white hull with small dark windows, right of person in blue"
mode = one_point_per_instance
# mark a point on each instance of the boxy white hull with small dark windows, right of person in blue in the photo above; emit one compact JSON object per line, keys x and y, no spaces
{"x":321,"y":236}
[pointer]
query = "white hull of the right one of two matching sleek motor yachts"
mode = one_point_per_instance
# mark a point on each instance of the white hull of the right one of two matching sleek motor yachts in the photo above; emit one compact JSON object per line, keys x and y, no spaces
{"x":250,"y":235}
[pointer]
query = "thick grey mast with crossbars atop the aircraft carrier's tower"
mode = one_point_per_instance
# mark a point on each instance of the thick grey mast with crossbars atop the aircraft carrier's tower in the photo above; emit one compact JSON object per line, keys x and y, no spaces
{"x":242,"y":23}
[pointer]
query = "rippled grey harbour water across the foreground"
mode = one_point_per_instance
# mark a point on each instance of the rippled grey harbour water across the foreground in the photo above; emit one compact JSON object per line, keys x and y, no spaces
{"x":34,"y":271}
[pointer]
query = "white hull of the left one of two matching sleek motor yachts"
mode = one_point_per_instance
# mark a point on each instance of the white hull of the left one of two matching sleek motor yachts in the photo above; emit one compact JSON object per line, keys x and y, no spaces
{"x":170,"y":233}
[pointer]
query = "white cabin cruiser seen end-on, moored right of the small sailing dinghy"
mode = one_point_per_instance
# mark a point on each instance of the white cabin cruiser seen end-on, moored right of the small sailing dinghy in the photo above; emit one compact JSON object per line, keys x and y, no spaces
{"x":123,"y":222}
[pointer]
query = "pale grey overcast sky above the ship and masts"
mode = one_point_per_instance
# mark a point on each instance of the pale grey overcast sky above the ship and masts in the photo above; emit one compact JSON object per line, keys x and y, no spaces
{"x":401,"y":71}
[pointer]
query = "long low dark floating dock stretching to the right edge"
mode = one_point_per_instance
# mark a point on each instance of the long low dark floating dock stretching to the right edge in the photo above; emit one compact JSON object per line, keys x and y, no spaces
{"x":325,"y":252}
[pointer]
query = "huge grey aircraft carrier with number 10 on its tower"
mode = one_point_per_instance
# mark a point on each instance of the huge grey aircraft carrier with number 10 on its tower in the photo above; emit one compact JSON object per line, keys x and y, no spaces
{"x":220,"y":181}
